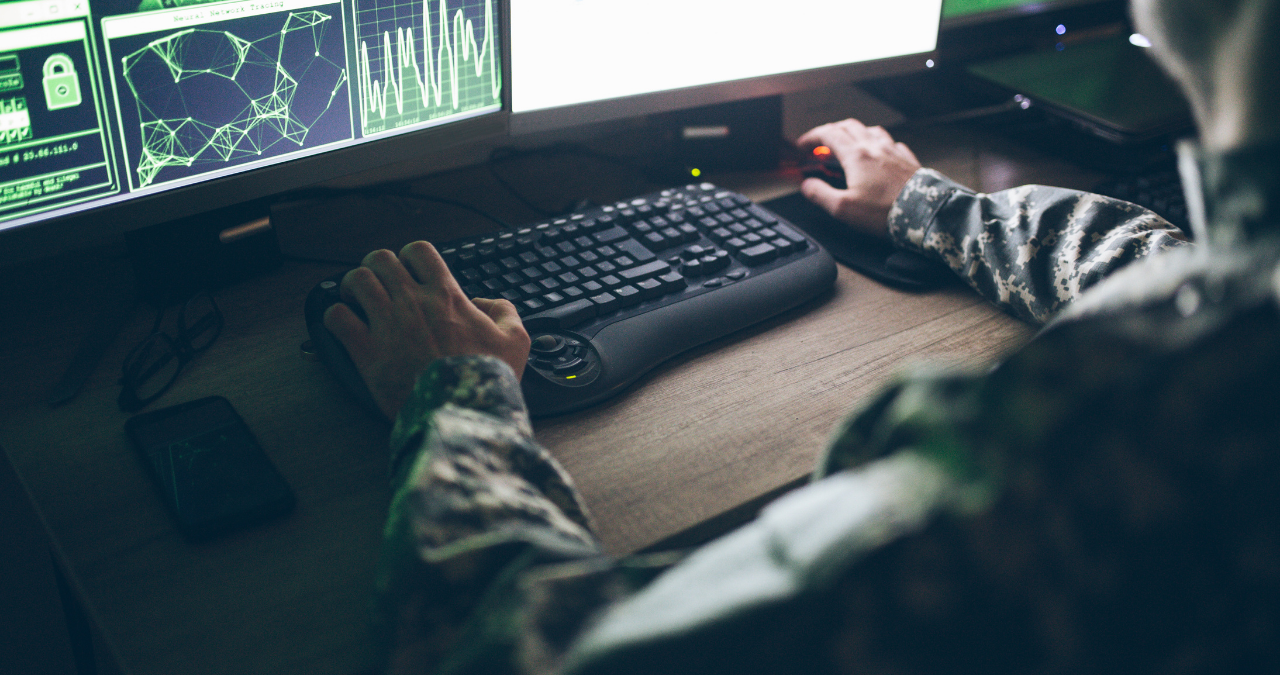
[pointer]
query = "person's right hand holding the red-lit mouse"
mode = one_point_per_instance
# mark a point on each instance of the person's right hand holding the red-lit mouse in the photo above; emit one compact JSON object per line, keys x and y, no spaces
{"x":876,"y":171}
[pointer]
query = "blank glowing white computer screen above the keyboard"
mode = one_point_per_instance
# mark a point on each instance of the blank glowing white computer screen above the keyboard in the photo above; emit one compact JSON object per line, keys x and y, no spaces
{"x":577,"y":62}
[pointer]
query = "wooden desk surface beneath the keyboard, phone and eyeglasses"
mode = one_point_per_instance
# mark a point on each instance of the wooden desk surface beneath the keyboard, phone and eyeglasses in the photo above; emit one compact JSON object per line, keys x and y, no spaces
{"x":701,"y":436}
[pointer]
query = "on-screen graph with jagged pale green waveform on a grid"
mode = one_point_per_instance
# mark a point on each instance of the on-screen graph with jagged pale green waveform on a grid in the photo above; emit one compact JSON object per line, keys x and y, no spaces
{"x":426,"y":61}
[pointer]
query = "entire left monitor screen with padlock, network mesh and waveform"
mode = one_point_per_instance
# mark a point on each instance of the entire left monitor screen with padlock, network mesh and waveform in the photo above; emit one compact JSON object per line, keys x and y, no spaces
{"x":102,"y":101}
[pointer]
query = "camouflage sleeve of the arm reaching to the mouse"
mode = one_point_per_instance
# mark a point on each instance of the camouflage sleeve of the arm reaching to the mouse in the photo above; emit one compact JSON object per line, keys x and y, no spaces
{"x":1031,"y":250}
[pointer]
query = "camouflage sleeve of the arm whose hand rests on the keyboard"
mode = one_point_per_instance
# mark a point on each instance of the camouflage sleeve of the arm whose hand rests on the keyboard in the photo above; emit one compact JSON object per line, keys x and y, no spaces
{"x":474,"y":501}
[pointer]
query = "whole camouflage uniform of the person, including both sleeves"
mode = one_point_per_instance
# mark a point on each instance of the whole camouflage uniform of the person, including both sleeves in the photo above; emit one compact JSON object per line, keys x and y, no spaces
{"x":1101,"y":501}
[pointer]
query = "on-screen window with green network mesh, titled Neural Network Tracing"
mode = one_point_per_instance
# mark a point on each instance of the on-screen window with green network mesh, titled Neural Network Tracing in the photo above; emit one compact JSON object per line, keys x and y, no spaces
{"x":218,"y":89}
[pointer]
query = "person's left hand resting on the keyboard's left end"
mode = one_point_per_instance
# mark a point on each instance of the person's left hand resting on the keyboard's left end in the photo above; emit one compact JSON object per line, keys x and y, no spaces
{"x":418,"y":313}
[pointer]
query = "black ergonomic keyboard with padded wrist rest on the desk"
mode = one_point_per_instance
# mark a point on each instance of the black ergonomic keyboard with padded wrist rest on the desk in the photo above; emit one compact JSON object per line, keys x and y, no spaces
{"x":610,"y":293}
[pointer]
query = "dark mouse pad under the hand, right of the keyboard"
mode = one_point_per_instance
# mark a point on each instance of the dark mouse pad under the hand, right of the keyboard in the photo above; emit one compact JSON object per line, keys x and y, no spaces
{"x":871,"y":257}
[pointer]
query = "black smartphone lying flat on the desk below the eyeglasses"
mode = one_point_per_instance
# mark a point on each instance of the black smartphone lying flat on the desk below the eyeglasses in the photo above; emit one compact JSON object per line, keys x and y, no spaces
{"x":211,"y":471}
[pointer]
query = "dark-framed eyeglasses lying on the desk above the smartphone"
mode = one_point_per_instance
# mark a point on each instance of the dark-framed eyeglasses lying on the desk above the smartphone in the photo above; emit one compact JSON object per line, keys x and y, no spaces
{"x":153,"y":367}
